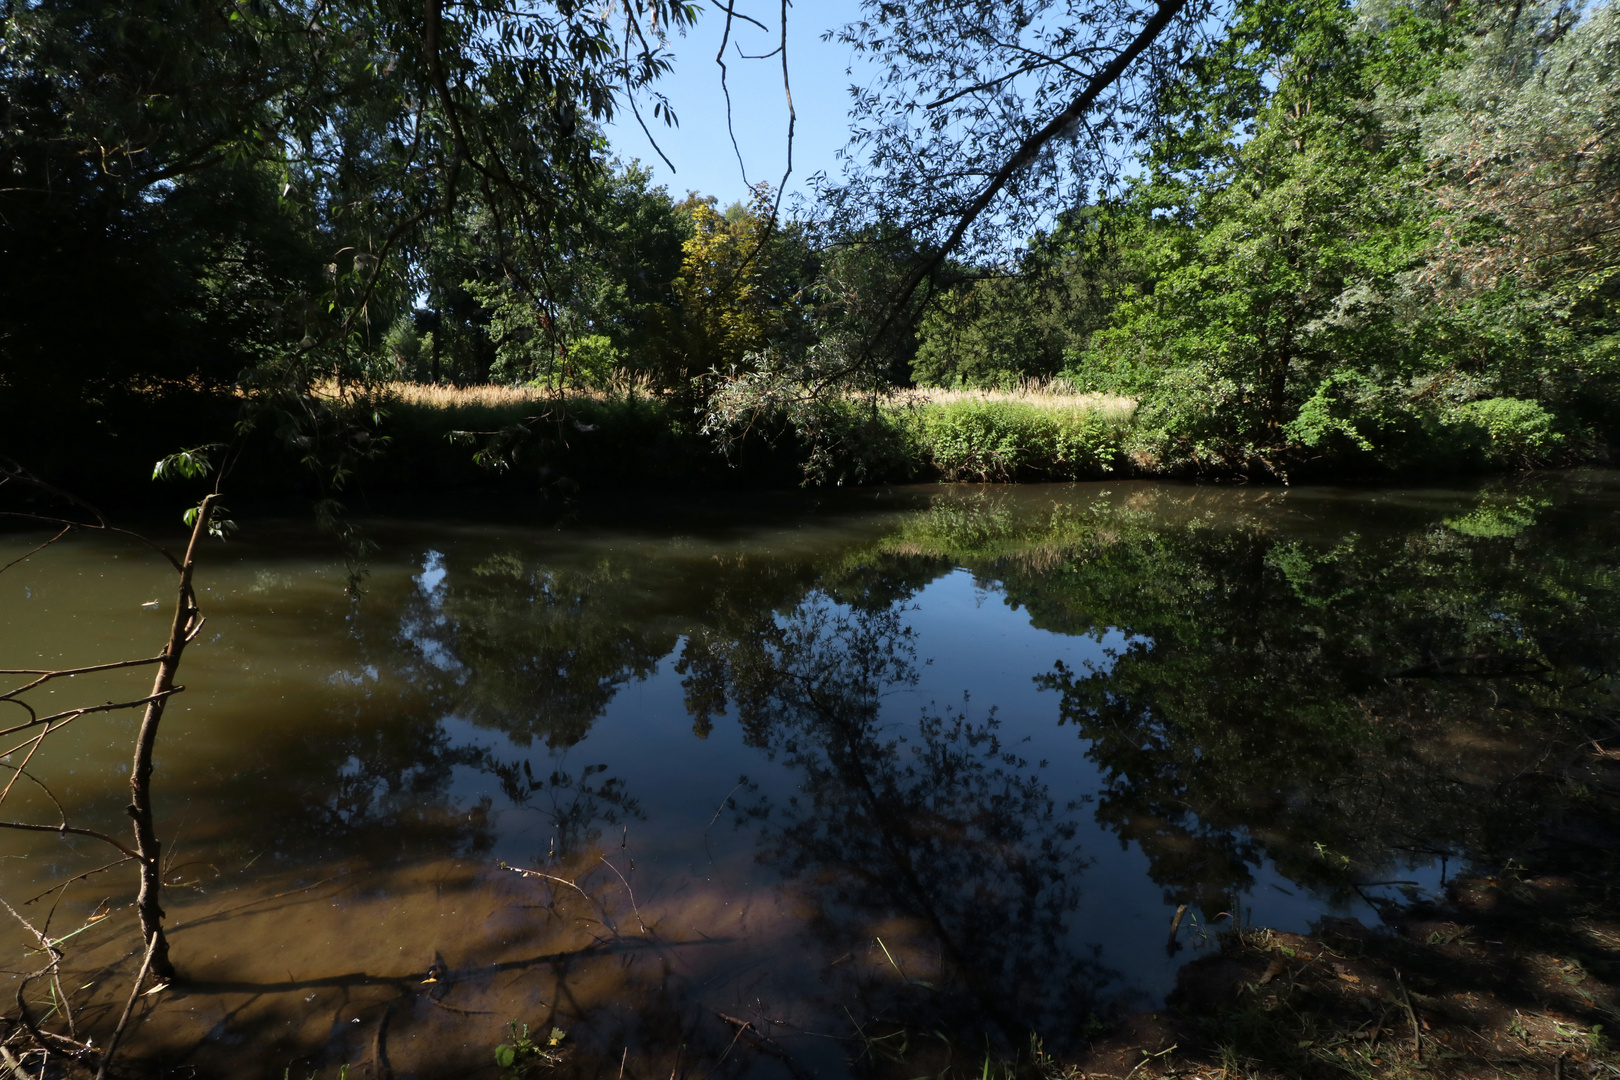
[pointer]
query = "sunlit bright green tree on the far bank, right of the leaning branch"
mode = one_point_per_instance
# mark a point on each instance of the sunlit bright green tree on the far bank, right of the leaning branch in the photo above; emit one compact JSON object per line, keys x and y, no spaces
{"x":1273,"y":244}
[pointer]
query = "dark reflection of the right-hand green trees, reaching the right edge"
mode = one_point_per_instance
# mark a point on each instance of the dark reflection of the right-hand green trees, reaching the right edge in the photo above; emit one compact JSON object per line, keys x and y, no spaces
{"x":1347,"y":699}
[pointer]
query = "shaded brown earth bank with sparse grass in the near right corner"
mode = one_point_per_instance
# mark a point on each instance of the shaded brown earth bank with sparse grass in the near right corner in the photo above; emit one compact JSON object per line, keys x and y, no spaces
{"x":1514,"y":974}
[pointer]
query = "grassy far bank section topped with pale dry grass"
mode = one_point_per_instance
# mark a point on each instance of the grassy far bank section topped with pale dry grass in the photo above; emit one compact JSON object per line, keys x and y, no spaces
{"x":1042,"y":433}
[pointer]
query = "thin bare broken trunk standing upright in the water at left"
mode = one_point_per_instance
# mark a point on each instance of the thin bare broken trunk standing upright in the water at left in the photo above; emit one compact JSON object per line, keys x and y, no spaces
{"x":147,"y":844}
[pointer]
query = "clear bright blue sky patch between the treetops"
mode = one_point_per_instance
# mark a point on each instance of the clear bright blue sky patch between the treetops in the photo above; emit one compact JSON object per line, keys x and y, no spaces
{"x":701,"y":150}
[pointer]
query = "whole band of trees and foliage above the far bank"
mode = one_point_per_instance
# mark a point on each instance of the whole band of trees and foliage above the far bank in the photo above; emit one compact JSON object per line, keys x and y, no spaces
{"x":1331,"y":237}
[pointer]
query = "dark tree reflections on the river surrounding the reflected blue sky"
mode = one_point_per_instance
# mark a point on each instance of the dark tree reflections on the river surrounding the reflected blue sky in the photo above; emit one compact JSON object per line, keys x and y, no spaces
{"x":1341,"y":689}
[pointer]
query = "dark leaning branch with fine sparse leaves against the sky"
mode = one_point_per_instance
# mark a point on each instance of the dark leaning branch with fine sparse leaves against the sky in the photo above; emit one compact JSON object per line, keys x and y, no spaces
{"x":989,"y":121}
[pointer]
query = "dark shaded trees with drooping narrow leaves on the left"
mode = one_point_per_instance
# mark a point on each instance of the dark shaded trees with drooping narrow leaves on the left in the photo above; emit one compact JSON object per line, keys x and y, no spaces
{"x":304,"y":158}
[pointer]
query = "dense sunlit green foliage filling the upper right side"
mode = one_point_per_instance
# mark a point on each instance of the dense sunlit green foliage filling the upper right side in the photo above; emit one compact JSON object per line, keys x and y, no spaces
{"x":1363,"y":236}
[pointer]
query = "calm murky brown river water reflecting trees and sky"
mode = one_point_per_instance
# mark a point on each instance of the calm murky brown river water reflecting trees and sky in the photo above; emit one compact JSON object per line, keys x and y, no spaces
{"x":924,"y":767}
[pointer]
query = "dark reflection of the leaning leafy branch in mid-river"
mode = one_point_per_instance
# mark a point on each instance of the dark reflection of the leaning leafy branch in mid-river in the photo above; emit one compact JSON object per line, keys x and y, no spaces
{"x":939,"y":872}
